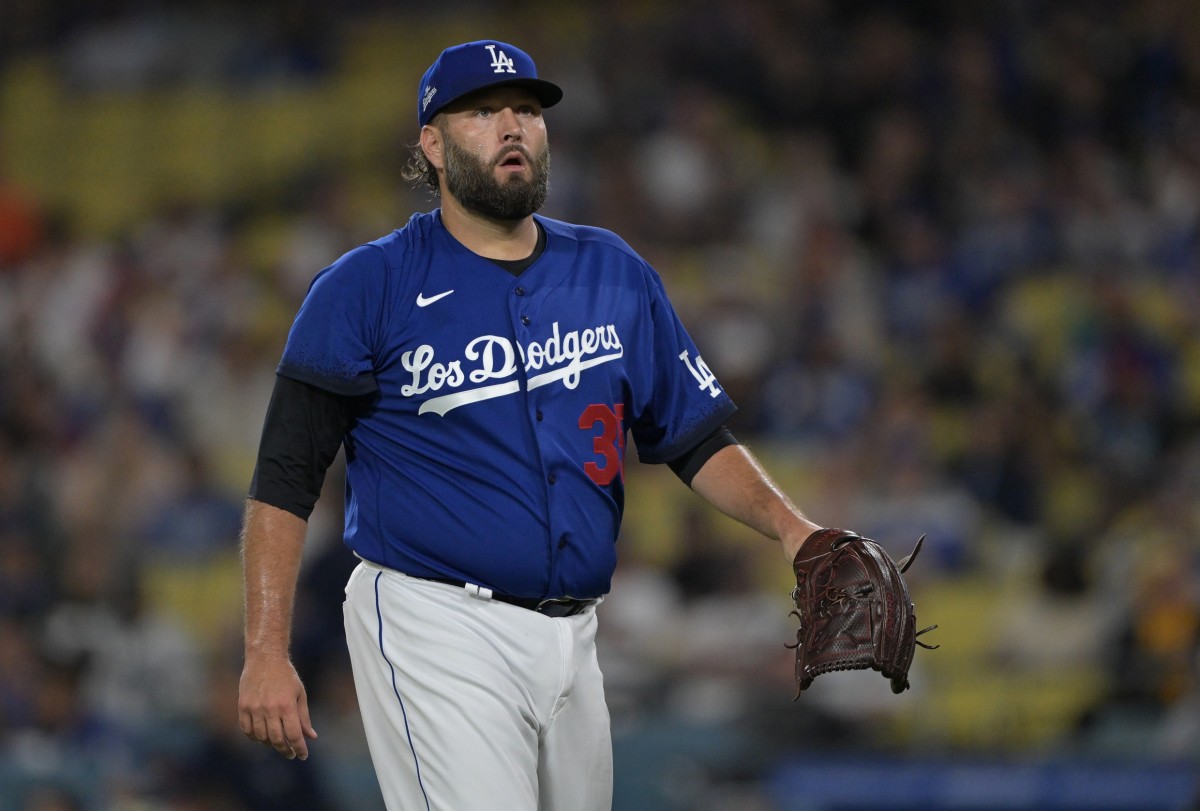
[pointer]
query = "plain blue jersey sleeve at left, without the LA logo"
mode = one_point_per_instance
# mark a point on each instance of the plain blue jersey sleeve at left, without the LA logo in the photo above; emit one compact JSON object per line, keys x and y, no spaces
{"x":333,"y":341}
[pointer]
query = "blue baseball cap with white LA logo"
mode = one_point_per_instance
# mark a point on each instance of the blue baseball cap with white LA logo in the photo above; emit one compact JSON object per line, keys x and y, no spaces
{"x":473,"y":67}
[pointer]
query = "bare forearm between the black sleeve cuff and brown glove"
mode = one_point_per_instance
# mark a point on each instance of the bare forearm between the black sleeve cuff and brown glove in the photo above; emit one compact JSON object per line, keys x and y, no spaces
{"x":735,"y":483}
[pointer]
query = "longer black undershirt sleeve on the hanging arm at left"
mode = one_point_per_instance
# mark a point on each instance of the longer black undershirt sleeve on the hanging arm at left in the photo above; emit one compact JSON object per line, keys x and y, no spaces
{"x":302,"y":434}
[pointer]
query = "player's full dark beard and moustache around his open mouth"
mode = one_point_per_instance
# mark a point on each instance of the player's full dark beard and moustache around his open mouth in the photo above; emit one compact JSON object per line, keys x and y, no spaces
{"x":475,"y":185}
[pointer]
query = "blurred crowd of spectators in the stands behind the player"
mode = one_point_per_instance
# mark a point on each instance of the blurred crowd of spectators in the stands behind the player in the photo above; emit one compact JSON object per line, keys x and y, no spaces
{"x":945,"y":256}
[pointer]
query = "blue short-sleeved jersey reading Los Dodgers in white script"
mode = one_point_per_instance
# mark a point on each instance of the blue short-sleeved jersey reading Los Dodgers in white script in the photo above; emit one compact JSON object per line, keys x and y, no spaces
{"x":493,"y":446}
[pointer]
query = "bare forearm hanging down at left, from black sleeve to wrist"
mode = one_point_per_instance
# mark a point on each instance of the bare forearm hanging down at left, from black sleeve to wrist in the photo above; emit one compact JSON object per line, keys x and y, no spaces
{"x":272,"y":549}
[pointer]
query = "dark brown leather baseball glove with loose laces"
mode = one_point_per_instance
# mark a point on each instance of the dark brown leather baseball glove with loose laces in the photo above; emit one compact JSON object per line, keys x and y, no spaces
{"x":854,"y":608}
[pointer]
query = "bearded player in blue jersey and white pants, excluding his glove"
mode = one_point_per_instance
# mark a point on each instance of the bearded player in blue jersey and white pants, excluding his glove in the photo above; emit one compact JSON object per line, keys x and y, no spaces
{"x":483,"y":368}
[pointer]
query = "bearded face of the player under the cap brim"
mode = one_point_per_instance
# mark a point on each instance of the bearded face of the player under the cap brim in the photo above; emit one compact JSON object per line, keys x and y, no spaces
{"x":496,"y":154}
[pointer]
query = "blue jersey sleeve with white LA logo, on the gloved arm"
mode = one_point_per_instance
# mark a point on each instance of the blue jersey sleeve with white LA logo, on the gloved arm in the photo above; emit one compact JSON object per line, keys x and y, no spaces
{"x":685,"y":403}
